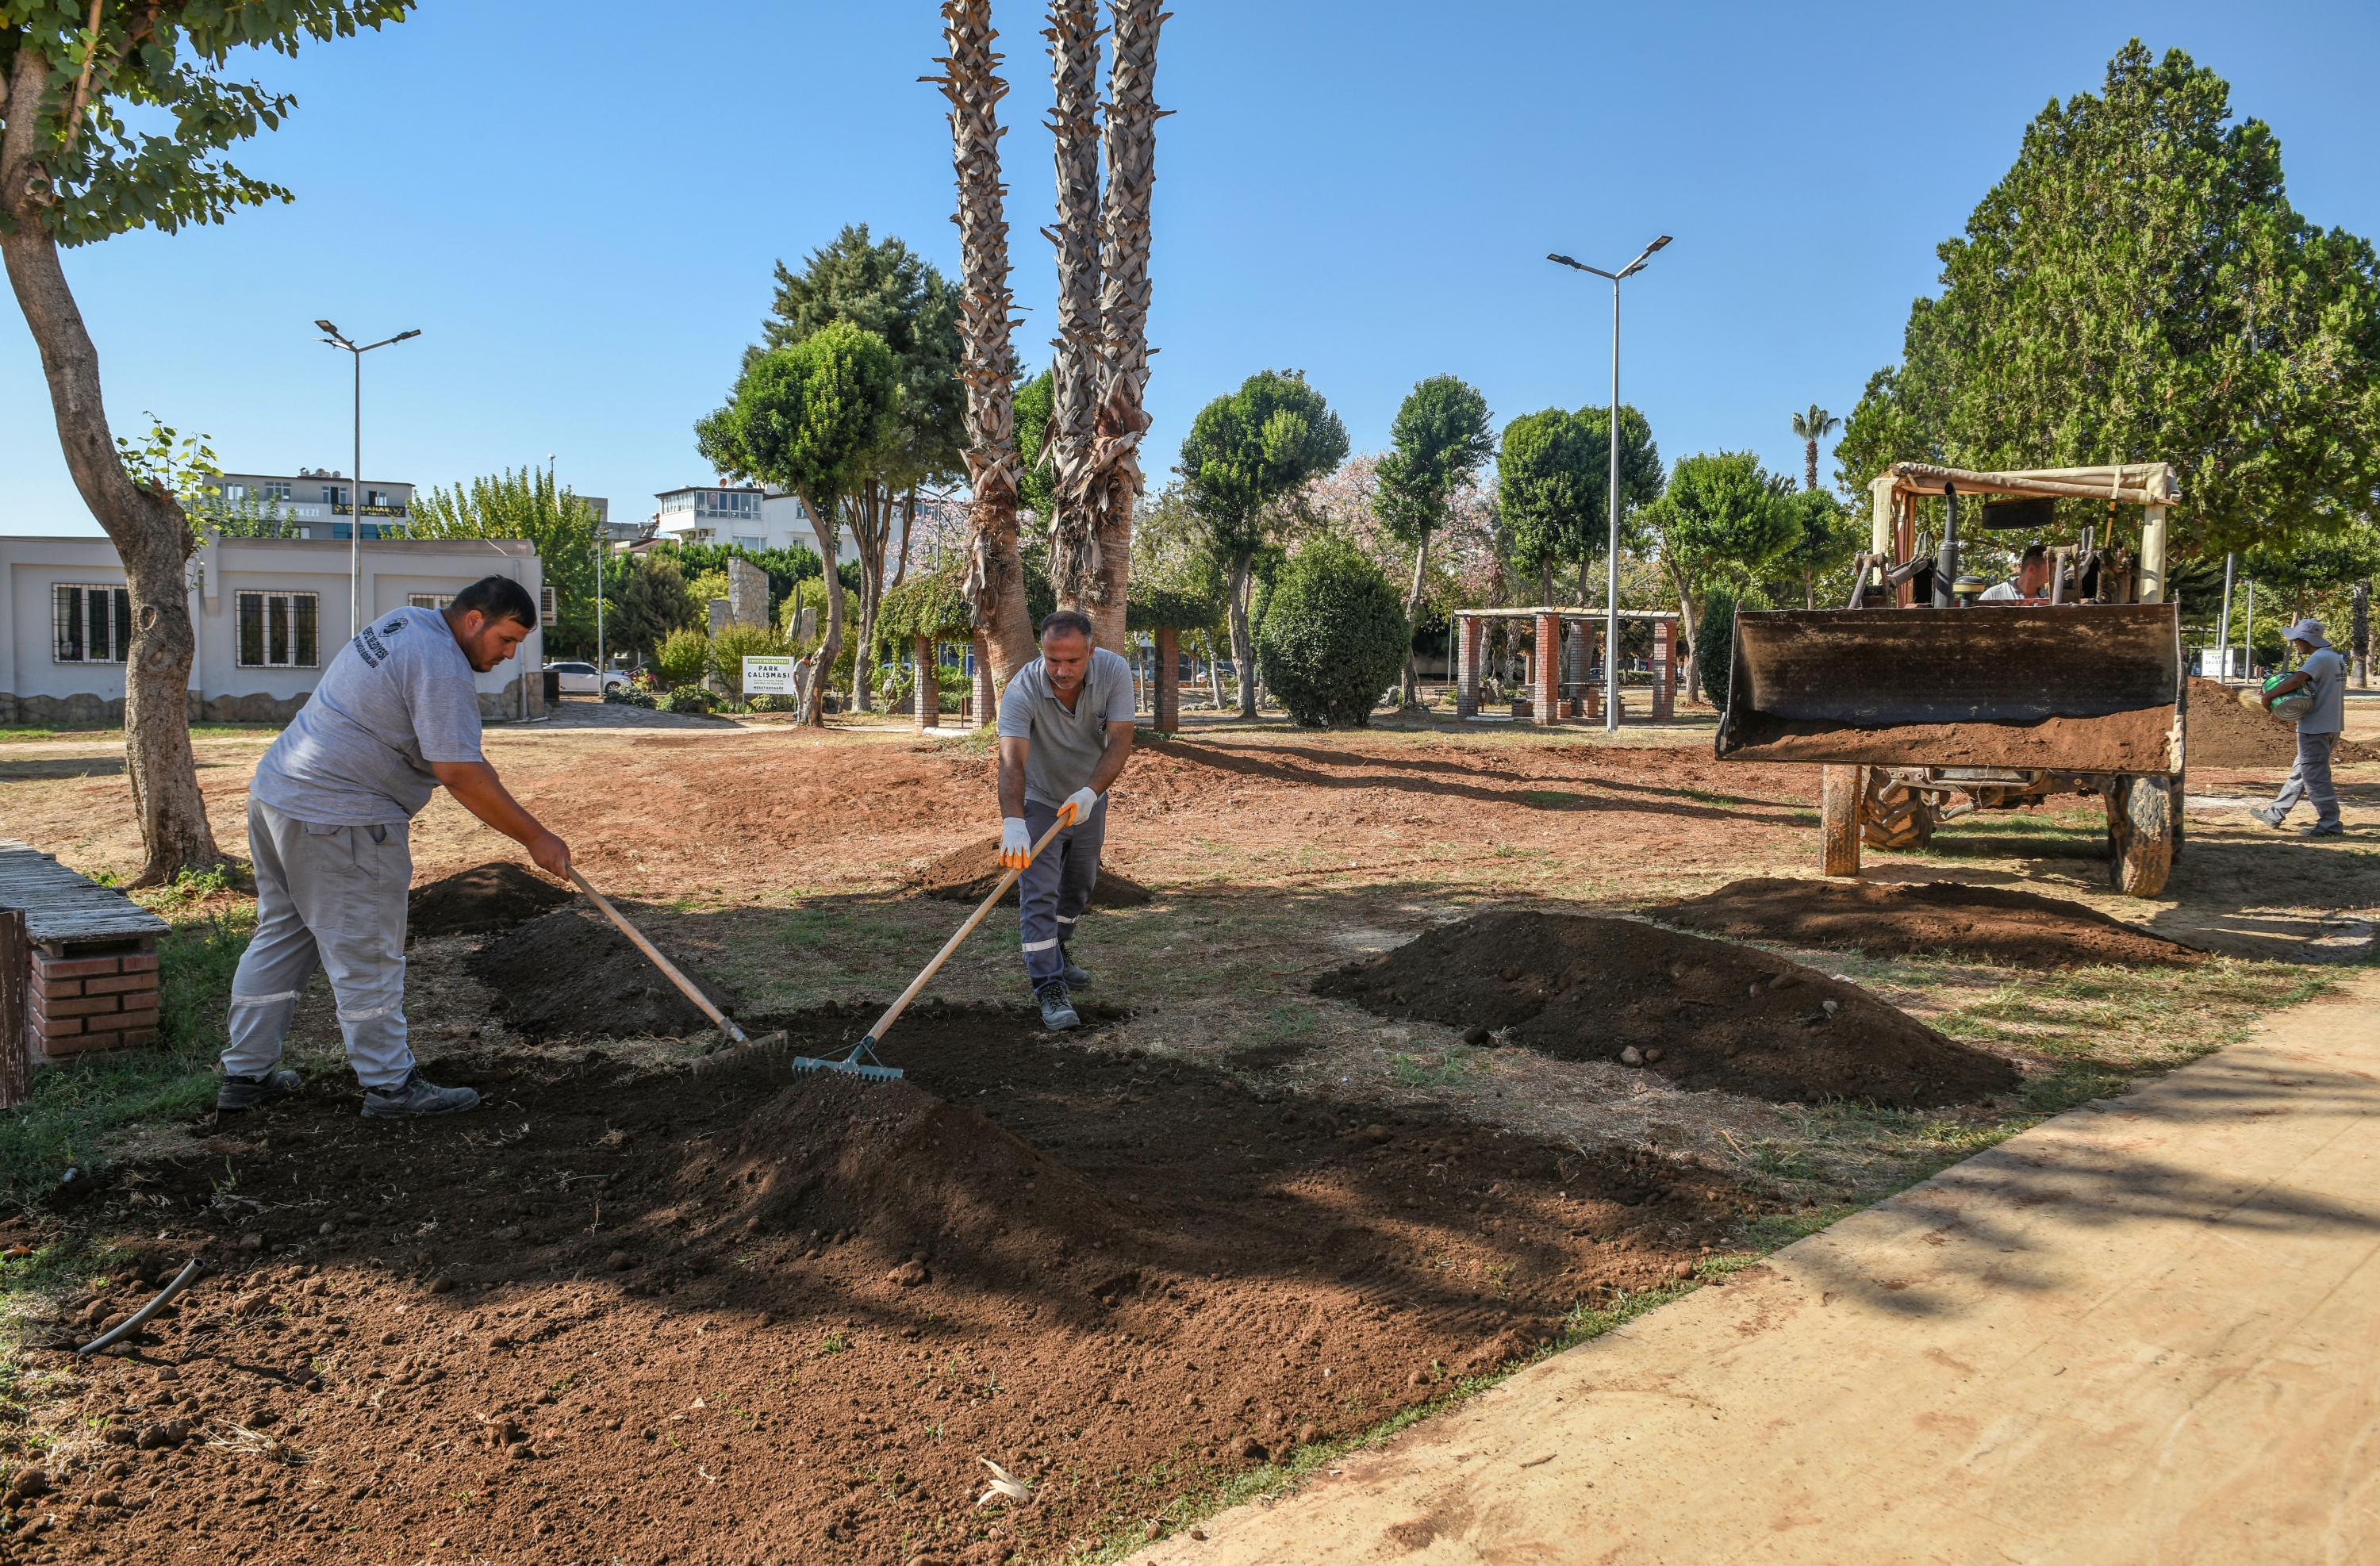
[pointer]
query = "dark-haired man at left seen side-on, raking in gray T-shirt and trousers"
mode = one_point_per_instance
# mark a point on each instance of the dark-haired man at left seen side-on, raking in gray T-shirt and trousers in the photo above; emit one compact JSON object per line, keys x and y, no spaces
{"x":394,"y":718}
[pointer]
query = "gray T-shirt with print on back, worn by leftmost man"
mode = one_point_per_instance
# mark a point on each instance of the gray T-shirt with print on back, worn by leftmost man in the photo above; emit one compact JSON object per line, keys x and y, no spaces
{"x":361,"y":751}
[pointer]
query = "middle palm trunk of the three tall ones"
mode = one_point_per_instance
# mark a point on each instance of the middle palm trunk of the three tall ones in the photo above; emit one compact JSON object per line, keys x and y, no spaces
{"x":1075,"y":125}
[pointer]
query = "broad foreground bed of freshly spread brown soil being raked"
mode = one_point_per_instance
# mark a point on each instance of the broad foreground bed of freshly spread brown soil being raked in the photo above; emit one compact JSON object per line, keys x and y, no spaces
{"x":739,"y":1315}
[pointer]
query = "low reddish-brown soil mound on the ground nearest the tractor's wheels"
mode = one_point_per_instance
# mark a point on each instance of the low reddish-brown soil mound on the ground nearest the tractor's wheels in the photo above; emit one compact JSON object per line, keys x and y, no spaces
{"x":1991,"y":922}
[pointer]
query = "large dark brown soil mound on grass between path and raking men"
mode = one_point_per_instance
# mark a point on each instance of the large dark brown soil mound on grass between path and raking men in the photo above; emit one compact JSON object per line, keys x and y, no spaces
{"x":1701,"y":1013}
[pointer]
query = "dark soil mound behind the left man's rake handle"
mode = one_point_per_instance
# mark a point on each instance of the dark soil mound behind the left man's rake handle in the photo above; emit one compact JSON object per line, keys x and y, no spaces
{"x":572,"y":975}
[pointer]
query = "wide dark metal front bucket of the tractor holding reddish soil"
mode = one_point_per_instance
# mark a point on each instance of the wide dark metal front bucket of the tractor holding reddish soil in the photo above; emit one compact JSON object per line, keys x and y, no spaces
{"x":2088,"y":689}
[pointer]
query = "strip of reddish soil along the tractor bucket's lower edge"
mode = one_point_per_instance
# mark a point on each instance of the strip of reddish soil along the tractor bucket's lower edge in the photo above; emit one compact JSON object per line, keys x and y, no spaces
{"x":2124,"y":741}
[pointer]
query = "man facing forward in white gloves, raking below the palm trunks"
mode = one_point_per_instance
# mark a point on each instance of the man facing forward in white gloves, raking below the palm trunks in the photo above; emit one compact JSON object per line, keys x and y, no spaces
{"x":1065,"y":737}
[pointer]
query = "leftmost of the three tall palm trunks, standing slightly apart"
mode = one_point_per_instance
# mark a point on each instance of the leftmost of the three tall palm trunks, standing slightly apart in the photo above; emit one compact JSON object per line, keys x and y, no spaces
{"x":996,"y":584}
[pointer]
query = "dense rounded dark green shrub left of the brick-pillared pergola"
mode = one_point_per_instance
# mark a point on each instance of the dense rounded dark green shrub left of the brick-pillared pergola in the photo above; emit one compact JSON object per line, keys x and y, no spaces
{"x":1334,"y":637}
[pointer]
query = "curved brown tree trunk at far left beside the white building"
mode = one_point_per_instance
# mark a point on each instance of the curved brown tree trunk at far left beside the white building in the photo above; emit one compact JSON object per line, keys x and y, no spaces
{"x":149,"y":530}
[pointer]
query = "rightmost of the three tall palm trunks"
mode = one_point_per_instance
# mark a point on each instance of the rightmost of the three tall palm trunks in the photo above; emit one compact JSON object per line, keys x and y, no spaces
{"x":1125,"y":303}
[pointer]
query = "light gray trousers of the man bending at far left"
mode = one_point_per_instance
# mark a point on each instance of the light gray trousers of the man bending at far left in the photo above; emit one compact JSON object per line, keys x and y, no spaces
{"x":334,"y":898}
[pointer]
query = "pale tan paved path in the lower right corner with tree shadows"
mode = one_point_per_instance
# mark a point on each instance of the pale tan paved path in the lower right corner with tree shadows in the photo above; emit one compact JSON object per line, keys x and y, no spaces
{"x":2143,"y":1332}
